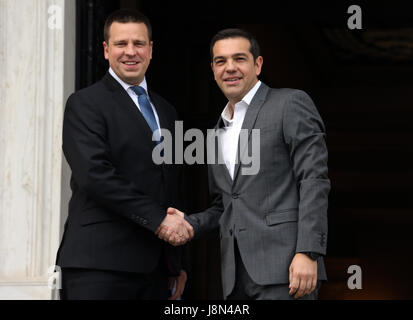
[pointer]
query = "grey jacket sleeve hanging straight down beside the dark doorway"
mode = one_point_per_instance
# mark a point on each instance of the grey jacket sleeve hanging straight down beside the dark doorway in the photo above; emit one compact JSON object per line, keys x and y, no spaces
{"x":304,"y":134}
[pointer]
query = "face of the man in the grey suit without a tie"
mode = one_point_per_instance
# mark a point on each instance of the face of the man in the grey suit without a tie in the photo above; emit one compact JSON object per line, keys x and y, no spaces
{"x":235,"y":70}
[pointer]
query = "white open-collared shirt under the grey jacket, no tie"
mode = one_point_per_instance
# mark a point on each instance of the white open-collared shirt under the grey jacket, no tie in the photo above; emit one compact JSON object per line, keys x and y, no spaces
{"x":229,"y":136}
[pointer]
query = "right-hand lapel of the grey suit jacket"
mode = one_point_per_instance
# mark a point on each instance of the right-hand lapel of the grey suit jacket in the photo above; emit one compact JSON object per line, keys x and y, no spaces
{"x":249,"y":122}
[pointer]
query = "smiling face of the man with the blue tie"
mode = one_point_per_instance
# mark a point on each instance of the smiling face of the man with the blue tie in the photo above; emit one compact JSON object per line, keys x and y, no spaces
{"x":129,"y":51}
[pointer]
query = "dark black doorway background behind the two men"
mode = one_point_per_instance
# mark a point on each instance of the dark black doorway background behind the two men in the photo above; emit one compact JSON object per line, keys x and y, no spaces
{"x":361,"y":83}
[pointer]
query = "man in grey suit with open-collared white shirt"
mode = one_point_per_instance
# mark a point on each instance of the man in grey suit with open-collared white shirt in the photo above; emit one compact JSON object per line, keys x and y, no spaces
{"x":273,"y":224}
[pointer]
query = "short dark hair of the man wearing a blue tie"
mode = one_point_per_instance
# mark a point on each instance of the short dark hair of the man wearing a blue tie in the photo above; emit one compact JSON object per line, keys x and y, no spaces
{"x":125,"y":16}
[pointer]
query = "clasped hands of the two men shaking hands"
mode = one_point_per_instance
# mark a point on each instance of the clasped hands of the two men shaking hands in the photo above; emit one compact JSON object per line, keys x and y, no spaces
{"x":175,"y":229}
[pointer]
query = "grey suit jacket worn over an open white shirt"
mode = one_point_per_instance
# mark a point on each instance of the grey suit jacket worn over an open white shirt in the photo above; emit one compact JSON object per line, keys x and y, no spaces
{"x":281,"y":210}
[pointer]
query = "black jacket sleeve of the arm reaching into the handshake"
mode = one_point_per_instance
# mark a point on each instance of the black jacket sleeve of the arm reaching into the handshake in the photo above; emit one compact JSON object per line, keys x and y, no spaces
{"x":88,"y":153}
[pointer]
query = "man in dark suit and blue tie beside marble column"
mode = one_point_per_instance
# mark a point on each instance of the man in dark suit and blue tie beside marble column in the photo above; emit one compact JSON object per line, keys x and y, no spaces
{"x":119,"y":195}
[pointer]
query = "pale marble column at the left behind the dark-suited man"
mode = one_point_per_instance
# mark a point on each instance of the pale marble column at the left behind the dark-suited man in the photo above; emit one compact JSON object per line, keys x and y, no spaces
{"x":37,"y":62}
